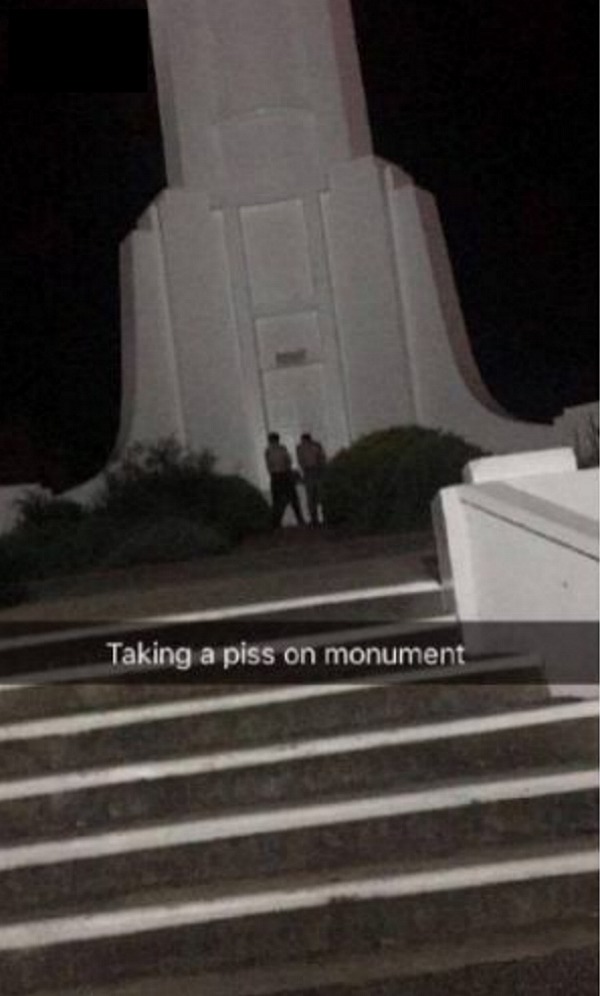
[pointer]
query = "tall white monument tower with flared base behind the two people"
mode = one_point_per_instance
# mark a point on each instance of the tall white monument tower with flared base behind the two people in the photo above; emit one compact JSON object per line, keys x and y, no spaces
{"x":287,"y":278}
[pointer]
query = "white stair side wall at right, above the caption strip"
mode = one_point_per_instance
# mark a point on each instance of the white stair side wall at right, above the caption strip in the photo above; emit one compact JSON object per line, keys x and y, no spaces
{"x":522,"y":551}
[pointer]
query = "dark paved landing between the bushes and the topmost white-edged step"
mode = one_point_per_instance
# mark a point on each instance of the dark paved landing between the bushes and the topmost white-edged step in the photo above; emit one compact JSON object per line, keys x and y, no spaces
{"x":292,"y":563}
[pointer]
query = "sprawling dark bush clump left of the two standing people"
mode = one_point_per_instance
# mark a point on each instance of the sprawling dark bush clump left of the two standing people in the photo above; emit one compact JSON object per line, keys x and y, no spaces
{"x":160,"y":503}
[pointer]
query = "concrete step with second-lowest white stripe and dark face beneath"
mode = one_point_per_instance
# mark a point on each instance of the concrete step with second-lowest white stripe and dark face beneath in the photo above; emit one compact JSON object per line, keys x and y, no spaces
{"x":410,"y":829}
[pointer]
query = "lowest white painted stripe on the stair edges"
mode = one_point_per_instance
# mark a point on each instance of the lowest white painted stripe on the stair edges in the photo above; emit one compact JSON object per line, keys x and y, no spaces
{"x":289,"y":898}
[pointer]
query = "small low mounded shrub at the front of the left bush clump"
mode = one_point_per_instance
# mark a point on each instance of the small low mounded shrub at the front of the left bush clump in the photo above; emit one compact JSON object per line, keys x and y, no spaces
{"x":166,"y":541}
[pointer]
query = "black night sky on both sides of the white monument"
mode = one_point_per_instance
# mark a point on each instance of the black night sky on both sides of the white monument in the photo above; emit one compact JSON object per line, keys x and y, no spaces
{"x":491,"y":105}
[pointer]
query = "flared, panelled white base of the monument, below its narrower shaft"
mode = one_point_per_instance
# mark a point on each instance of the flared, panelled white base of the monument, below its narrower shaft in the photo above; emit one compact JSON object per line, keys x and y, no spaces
{"x":332,"y":312}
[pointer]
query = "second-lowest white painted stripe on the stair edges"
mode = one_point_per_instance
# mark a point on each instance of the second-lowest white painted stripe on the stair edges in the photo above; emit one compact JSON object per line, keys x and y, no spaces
{"x":278,"y":820}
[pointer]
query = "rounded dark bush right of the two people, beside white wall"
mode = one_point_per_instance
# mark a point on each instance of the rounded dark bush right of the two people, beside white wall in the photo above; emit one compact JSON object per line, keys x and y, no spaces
{"x":387,"y":480}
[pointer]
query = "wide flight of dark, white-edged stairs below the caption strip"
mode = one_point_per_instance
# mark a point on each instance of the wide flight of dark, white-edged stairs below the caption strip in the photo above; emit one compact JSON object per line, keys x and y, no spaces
{"x":414,"y":837}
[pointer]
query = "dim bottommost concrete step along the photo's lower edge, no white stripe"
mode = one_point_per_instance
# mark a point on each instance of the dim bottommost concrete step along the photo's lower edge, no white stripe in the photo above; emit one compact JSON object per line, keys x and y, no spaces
{"x":564,"y":961}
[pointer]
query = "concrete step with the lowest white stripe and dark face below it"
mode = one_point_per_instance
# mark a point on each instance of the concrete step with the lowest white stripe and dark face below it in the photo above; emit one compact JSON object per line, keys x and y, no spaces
{"x":331,"y":917}
